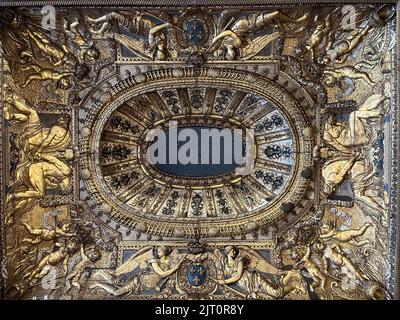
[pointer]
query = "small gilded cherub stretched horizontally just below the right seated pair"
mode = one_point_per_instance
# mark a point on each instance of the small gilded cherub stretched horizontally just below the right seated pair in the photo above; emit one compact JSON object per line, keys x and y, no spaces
{"x":329,"y":232}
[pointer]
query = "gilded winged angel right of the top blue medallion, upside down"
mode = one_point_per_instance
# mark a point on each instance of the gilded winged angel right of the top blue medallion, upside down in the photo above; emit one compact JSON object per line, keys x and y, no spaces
{"x":232,"y":40}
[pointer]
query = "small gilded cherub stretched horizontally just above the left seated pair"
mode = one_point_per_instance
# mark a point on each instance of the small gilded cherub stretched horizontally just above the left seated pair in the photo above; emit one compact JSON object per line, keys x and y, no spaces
{"x":62,"y":79}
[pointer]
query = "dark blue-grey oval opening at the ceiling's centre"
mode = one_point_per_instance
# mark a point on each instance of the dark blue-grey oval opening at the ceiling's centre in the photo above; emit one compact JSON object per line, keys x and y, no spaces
{"x":197,"y":151}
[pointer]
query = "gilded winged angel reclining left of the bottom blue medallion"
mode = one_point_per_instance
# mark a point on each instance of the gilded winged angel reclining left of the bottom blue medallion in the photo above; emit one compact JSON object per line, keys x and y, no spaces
{"x":156,"y":266}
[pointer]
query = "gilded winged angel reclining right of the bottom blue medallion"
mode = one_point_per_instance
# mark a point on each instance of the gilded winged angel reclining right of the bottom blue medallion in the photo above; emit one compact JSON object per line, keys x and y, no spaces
{"x":248,"y":270}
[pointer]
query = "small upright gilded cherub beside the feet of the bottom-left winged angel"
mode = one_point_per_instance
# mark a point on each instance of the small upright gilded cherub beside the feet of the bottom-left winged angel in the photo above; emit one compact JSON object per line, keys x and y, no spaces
{"x":87,"y":260}
